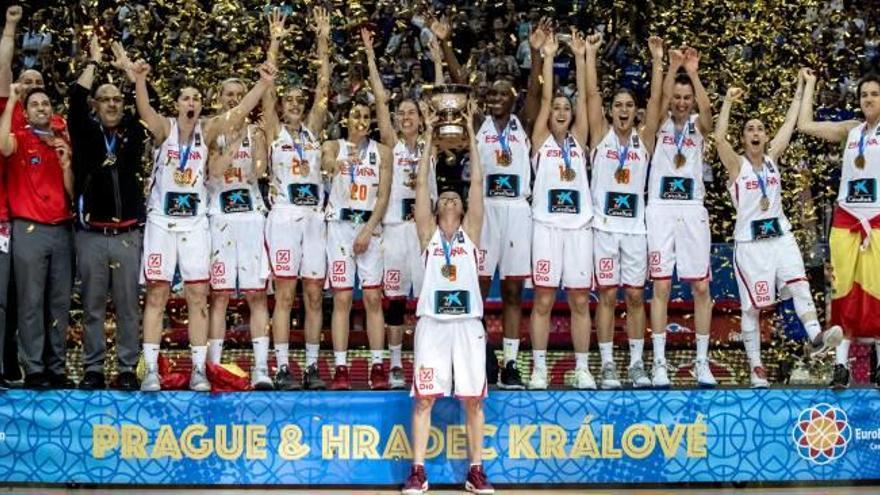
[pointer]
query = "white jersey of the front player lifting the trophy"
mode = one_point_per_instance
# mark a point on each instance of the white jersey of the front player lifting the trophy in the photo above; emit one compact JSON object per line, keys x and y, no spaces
{"x":450,"y":293}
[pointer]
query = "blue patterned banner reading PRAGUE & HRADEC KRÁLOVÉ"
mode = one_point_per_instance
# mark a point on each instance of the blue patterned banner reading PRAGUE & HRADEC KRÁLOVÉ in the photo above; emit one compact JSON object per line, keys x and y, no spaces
{"x":357,"y":438}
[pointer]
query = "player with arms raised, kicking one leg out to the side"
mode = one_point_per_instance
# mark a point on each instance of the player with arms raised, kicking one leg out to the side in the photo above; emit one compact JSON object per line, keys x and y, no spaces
{"x":766,"y":256}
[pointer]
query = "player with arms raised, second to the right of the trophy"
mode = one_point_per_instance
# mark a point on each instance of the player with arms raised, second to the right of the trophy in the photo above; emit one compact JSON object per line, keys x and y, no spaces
{"x":562,"y":209}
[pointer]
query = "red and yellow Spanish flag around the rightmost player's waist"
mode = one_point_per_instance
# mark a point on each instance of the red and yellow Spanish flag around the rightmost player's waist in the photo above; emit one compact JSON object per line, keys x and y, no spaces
{"x":855,"y":260}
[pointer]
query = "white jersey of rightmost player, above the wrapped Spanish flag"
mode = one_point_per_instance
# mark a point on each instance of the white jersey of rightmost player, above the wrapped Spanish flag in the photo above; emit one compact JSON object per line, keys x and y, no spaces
{"x":858,"y":186}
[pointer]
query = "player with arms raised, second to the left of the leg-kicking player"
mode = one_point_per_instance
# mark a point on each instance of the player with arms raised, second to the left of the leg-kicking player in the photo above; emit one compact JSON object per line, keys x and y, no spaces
{"x":620,"y":157}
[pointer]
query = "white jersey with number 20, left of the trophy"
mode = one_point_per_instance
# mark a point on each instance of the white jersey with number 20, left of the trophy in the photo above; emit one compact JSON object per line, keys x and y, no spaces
{"x":354,"y":188}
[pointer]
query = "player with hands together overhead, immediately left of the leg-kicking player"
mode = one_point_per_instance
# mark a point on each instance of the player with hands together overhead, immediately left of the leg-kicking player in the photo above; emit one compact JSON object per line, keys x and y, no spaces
{"x":678,"y":224}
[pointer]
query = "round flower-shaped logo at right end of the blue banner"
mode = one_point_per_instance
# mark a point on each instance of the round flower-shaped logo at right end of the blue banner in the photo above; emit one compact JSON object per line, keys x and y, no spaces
{"x":821,"y":433}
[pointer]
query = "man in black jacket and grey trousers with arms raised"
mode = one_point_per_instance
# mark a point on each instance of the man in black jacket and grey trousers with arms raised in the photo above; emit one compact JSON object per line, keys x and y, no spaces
{"x":108,"y":146}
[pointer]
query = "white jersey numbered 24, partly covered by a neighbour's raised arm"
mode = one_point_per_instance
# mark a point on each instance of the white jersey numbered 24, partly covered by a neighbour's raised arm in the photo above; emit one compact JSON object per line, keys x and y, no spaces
{"x":237,"y":191}
